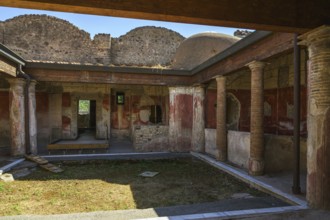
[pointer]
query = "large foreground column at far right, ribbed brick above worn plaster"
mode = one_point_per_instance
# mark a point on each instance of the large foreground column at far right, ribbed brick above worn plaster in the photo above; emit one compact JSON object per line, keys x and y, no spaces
{"x":318,"y":142}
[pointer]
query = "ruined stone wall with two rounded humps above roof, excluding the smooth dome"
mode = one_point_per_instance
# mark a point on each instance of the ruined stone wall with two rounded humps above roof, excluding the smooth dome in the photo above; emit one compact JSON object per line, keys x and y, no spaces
{"x":47,"y":38}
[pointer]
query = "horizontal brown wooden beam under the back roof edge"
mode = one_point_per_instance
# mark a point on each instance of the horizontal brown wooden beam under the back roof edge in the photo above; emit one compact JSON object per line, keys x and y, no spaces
{"x":51,"y":75}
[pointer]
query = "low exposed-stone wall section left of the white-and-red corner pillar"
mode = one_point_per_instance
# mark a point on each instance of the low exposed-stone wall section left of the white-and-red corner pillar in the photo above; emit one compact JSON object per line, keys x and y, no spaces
{"x":150,"y":138}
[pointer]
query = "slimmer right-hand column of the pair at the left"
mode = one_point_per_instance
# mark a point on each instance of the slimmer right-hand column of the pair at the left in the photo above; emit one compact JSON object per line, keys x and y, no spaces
{"x":33,"y":117}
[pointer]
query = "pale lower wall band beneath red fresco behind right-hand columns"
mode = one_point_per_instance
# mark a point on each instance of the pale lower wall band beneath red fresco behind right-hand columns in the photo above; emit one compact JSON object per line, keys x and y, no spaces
{"x":278,"y":153}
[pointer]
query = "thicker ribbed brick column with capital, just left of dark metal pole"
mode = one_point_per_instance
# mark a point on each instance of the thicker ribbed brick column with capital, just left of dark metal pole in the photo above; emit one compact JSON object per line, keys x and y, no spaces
{"x":256,"y":160}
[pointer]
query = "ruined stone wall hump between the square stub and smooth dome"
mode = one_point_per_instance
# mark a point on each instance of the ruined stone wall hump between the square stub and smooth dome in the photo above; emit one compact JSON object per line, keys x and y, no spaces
{"x":145,"y":46}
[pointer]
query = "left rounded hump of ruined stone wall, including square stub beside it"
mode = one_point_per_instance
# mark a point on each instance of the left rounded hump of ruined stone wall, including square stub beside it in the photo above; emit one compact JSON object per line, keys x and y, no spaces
{"x":47,"y":38}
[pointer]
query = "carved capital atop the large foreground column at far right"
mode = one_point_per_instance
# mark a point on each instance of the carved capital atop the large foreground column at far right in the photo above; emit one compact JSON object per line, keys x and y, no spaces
{"x":316,"y":35}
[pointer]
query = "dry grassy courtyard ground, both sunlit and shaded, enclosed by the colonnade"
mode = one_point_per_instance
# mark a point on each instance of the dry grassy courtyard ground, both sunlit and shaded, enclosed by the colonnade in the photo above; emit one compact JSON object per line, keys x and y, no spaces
{"x":116,"y":185}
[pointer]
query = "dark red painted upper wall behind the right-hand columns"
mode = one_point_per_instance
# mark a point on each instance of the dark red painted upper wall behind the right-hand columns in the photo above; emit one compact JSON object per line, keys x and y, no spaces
{"x":279,"y":122}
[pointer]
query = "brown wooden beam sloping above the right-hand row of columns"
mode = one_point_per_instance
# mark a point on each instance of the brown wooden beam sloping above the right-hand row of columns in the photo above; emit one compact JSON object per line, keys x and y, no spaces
{"x":275,"y":44}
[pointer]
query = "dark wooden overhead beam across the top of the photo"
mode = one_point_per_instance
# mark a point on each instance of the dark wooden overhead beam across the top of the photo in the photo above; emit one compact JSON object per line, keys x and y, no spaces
{"x":279,"y":16}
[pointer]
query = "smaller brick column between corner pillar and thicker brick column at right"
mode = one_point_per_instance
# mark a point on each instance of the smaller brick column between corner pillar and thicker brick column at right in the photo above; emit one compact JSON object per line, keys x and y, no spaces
{"x":221,"y":135}
